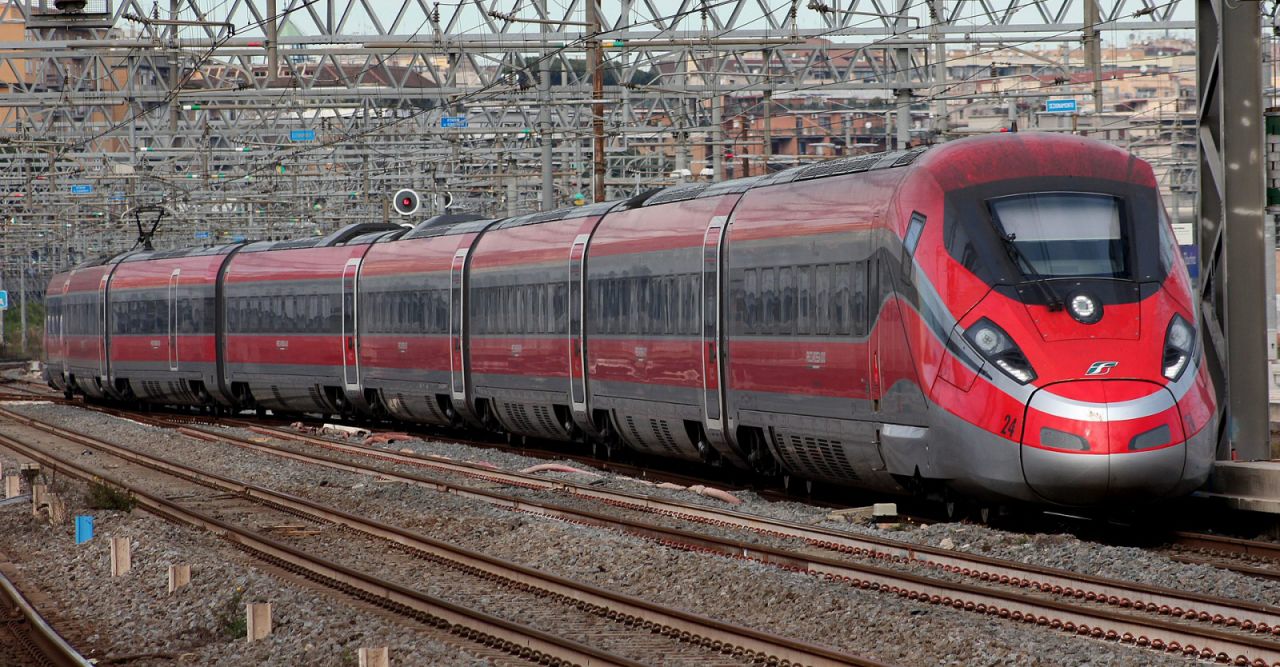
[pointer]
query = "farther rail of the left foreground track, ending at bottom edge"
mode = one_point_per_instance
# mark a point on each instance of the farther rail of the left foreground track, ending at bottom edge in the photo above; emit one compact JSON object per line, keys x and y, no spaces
{"x":767,"y":647}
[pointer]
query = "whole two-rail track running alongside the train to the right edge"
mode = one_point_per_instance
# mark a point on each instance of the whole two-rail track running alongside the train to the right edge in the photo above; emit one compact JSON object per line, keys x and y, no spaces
{"x":1208,"y":628}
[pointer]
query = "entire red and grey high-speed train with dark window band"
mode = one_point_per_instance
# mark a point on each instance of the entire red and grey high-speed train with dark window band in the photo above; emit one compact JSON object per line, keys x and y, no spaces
{"x":1004,"y":317}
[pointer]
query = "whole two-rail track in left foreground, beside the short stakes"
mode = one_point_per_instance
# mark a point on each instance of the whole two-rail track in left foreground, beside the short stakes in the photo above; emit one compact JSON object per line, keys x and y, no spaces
{"x":604,"y":620}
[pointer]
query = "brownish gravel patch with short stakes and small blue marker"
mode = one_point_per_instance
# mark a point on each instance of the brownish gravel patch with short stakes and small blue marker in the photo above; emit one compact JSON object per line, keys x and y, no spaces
{"x":134,"y":619}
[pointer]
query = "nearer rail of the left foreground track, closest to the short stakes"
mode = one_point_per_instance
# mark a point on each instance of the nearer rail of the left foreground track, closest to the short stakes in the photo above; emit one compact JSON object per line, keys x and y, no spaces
{"x":523,"y":642}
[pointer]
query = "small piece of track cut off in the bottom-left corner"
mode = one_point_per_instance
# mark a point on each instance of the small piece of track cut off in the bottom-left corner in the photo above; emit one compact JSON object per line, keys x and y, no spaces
{"x":26,"y":638}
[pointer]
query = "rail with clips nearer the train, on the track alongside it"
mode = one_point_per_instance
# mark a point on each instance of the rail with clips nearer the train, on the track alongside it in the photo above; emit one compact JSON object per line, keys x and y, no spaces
{"x":1210,"y":609}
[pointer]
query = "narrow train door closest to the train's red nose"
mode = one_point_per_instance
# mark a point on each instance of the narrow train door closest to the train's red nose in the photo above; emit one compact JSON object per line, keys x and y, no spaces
{"x":714,"y":390}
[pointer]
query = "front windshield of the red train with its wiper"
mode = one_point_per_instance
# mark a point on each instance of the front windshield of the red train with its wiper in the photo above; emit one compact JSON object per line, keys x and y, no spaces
{"x":1063,"y":235}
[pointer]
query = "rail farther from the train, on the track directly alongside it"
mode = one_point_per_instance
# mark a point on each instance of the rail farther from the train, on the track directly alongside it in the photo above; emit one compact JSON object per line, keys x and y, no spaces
{"x":1153,"y":632}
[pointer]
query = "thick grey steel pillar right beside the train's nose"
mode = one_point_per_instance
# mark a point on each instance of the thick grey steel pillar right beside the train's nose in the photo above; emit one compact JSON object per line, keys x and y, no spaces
{"x":1237,"y":286}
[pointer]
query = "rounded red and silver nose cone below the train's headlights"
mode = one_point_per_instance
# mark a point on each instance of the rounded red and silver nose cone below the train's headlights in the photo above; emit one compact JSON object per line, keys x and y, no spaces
{"x":1087,"y":442}
